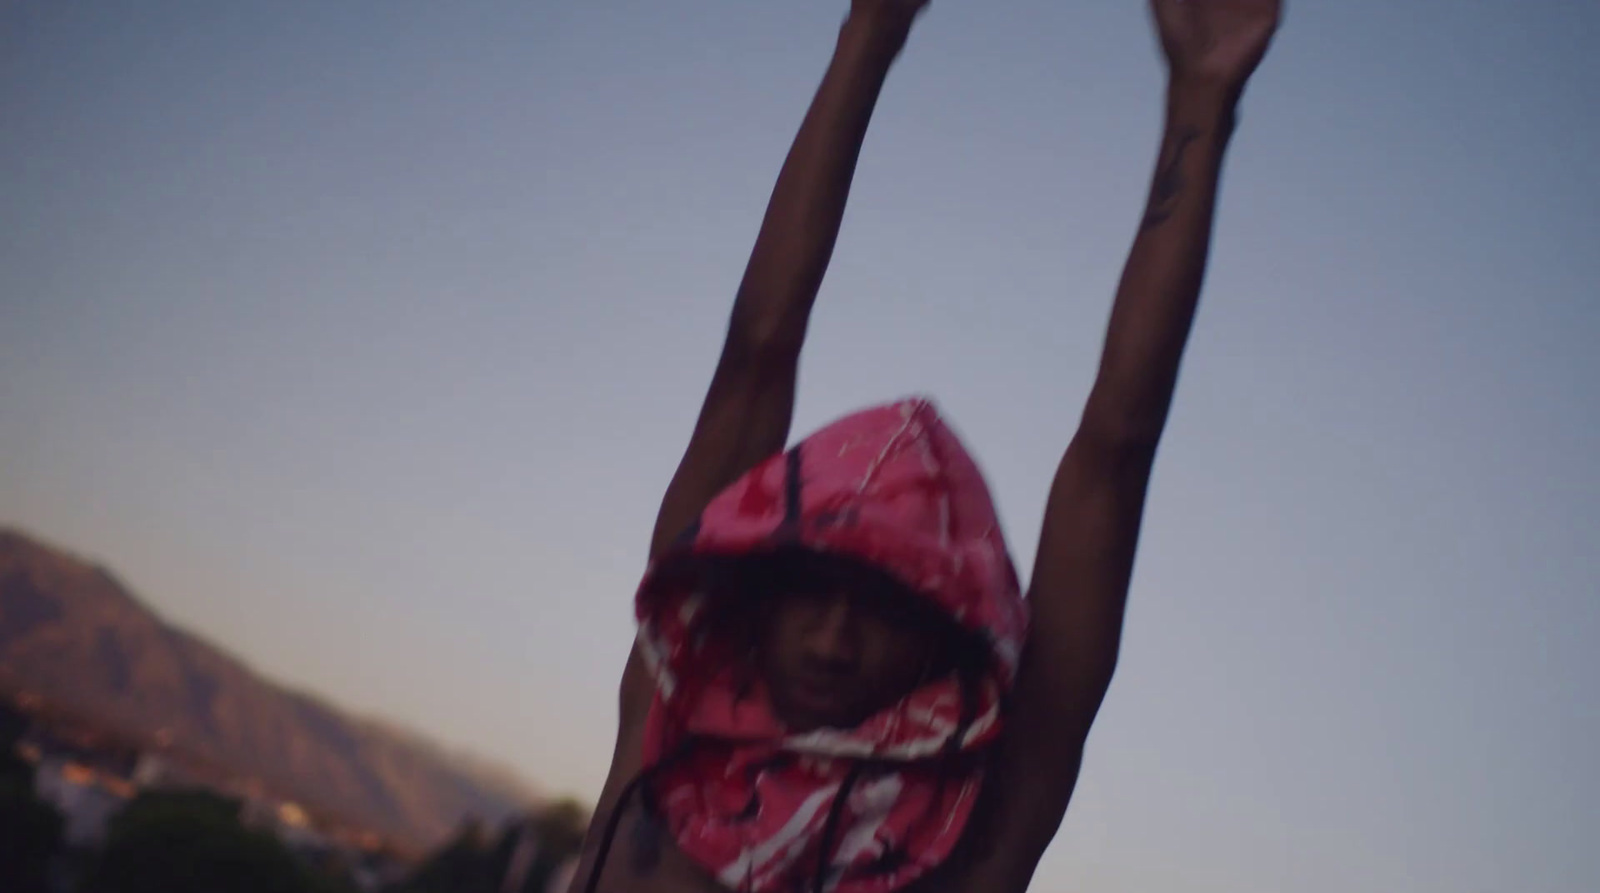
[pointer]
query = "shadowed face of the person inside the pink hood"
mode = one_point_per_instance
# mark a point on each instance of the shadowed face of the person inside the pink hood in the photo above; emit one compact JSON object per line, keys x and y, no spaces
{"x":839,"y":643}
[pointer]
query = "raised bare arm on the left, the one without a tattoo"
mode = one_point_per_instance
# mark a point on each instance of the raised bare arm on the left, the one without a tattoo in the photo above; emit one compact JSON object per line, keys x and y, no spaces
{"x":748,"y":409}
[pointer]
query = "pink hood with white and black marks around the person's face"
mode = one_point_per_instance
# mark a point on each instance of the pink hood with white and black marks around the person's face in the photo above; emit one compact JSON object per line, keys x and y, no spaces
{"x":857,"y":811}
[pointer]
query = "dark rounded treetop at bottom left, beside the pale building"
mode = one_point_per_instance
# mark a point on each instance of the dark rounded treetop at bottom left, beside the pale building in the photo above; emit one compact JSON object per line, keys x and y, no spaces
{"x":193,"y":843}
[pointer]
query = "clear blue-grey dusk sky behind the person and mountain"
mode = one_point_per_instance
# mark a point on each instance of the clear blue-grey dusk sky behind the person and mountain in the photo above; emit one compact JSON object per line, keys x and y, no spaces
{"x":364,"y":338}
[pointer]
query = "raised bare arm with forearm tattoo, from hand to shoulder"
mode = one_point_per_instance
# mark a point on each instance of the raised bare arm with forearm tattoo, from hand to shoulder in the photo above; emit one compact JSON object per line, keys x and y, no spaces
{"x":1092,"y":521}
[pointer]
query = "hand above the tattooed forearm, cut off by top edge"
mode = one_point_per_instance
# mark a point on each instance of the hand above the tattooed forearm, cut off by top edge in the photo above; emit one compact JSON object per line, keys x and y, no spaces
{"x":1215,"y":42}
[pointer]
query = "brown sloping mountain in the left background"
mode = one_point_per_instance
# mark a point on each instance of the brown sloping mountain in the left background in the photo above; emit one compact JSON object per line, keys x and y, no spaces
{"x":74,"y":638}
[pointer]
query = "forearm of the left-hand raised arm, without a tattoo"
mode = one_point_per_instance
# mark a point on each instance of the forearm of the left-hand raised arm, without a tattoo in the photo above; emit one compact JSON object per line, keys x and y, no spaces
{"x":807,"y":207}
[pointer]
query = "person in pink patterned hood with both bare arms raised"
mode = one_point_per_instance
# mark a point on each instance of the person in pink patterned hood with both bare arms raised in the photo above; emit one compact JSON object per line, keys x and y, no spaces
{"x":838,"y":683}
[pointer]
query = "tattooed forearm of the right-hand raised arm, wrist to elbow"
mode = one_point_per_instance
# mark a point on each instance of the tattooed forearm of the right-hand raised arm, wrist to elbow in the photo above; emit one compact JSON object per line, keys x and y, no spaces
{"x":1161,"y":286}
